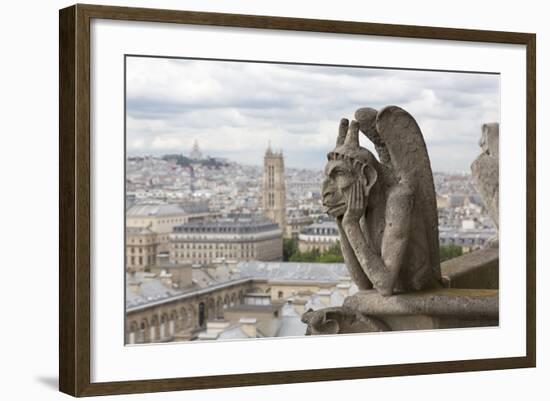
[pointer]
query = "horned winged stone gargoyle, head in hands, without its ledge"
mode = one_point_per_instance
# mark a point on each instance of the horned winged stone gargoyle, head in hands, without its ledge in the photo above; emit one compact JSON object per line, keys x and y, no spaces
{"x":385,"y":209}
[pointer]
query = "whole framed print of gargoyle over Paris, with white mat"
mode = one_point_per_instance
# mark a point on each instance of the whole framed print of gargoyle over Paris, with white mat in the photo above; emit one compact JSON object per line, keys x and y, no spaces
{"x":250,"y":200}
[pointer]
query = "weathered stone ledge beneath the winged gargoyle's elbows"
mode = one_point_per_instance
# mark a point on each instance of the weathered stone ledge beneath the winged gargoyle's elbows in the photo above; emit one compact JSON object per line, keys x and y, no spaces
{"x":368,"y":311}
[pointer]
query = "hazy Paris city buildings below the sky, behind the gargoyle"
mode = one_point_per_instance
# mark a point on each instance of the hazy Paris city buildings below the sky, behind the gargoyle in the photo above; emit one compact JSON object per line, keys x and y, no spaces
{"x":219,"y":250}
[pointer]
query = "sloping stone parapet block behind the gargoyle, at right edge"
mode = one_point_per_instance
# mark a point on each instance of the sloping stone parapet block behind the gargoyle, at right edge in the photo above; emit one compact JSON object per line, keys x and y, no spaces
{"x":478,"y":269}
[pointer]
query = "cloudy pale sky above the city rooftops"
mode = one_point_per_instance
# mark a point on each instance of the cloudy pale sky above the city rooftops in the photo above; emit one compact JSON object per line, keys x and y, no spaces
{"x":234,"y":109}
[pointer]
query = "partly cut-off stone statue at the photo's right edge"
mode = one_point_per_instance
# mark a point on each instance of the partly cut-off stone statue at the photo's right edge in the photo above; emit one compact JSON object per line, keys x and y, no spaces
{"x":485,"y":171}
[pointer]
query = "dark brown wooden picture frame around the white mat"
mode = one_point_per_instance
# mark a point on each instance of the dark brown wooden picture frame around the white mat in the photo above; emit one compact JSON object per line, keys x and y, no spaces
{"x":75,"y":199}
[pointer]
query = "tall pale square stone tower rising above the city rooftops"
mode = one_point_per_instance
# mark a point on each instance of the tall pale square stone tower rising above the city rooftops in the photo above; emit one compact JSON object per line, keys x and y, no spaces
{"x":273,"y":188}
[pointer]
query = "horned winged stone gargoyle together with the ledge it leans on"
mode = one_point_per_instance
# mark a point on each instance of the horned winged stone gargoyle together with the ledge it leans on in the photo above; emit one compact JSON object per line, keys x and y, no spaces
{"x":387,"y":218}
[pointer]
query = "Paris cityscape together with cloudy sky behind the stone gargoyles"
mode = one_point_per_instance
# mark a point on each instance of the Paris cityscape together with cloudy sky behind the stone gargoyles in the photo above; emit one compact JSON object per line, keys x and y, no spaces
{"x":226,"y":237}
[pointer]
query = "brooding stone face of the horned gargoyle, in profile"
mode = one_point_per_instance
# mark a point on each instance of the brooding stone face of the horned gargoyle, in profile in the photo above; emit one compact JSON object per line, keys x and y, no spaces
{"x":339,"y":176}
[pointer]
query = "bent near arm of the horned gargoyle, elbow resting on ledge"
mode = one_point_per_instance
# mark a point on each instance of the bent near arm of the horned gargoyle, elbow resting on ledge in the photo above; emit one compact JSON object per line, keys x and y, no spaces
{"x":382,"y":270}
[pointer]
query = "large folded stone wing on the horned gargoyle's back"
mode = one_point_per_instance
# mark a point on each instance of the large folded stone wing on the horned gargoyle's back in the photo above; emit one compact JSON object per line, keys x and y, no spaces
{"x":401,"y":148}
